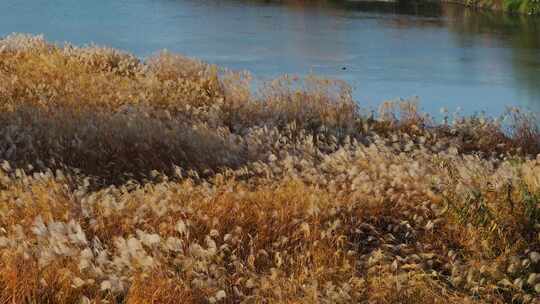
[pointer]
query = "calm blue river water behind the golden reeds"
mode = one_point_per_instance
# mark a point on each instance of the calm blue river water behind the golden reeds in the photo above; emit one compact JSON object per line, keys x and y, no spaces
{"x":446,"y":55}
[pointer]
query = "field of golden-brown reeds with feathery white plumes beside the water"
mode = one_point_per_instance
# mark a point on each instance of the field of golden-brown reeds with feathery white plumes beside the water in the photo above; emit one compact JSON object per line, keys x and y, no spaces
{"x":171,"y":181}
